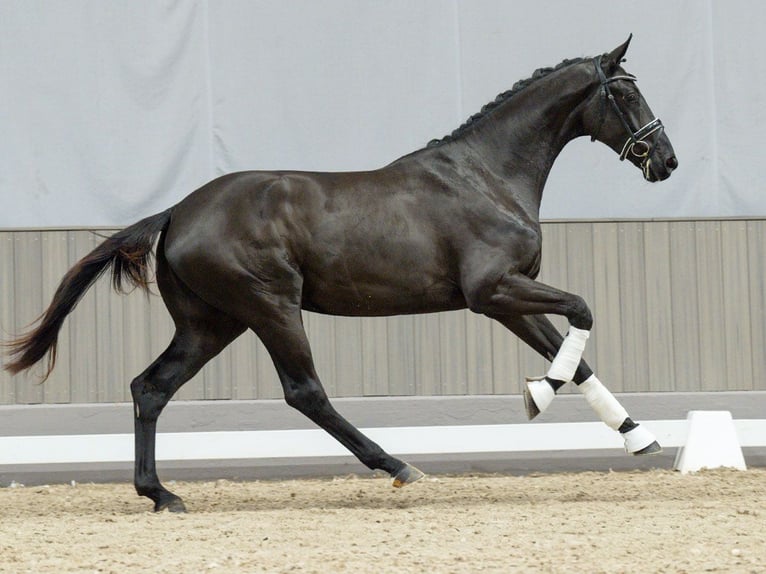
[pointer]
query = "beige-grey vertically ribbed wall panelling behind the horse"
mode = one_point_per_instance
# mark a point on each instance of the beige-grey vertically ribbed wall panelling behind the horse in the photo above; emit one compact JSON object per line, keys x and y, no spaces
{"x":678,"y":305}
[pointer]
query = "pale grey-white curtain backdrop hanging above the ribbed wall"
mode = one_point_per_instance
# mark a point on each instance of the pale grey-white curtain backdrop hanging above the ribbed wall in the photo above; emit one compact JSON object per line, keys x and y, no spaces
{"x":114,"y":110}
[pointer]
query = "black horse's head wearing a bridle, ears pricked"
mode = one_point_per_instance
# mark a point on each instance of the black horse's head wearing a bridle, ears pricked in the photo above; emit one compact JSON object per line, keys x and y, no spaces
{"x":619,"y":116}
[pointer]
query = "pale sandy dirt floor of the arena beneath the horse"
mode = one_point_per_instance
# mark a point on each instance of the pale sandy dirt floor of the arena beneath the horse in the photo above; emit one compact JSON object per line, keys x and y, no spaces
{"x":657,"y":521}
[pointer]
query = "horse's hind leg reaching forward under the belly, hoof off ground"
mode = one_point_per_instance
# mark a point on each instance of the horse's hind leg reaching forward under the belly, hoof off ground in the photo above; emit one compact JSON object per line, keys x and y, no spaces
{"x":283,"y":335}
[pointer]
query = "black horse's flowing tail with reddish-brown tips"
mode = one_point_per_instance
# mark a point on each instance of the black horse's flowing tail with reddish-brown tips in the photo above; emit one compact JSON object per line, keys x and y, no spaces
{"x":129,"y":252}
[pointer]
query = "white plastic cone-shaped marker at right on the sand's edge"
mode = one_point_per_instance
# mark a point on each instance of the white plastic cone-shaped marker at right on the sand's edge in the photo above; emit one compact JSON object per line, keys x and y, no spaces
{"x":711,"y":442}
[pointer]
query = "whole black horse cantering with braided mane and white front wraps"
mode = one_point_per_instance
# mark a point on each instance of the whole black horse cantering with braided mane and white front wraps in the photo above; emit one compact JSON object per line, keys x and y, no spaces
{"x":451,"y":226}
